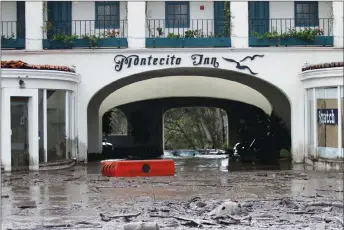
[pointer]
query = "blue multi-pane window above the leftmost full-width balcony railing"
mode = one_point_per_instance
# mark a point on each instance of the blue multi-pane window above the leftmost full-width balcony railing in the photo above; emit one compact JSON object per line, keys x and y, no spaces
{"x":108,"y":24}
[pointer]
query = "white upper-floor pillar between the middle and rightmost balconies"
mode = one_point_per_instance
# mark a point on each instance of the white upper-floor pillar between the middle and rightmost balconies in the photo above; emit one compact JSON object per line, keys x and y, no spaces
{"x":239,"y":24}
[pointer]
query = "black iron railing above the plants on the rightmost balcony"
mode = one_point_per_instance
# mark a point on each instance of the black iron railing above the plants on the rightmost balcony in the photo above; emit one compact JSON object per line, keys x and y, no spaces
{"x":288,"y":25}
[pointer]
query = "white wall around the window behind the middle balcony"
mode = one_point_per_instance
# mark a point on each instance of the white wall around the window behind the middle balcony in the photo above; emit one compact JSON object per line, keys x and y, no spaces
{"x":200,"y":19}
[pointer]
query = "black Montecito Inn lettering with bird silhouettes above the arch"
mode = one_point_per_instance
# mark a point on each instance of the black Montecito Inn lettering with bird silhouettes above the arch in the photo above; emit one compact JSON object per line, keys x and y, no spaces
{"x":122,"y":61}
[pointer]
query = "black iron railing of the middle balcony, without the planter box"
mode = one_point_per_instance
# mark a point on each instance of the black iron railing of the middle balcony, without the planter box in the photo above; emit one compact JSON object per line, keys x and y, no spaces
{"x":196,"y":28}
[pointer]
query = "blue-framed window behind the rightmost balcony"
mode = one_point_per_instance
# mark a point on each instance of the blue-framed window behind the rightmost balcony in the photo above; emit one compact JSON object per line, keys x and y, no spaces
{"x":306,"y":14}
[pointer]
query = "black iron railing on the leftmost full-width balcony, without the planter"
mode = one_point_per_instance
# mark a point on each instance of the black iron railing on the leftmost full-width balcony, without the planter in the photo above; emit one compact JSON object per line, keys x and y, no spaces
{"x":81,"y":28}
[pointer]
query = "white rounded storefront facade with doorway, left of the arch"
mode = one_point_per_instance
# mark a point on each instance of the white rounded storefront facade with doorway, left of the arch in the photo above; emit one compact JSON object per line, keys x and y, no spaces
{"x":35,"y":81}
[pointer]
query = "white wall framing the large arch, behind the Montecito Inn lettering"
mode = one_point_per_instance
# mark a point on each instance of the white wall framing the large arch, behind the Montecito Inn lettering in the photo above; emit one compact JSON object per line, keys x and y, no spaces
{"x":97,"y":71}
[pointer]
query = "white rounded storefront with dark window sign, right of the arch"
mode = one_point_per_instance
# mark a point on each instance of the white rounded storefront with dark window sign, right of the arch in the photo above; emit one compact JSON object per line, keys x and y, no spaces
{"x":323,"y":84}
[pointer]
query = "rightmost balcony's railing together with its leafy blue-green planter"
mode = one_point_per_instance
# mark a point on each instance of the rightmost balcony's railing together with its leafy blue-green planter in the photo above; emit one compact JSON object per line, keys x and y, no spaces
{"x":285,"y":32}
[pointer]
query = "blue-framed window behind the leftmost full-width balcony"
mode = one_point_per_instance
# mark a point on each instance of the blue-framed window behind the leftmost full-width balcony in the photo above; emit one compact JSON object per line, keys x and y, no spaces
{"x":107,"y":15}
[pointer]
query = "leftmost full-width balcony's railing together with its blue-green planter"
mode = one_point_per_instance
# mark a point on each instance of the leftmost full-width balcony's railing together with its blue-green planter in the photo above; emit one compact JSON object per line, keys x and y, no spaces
{"x":85,"y":34}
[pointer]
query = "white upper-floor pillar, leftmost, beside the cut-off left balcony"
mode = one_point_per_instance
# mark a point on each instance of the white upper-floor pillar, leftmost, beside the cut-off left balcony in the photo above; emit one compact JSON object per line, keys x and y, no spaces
{"x":34,"y":25}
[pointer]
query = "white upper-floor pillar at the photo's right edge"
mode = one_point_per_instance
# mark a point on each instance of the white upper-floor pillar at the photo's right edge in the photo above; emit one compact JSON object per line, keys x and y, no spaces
{"x":337,"y":9}
